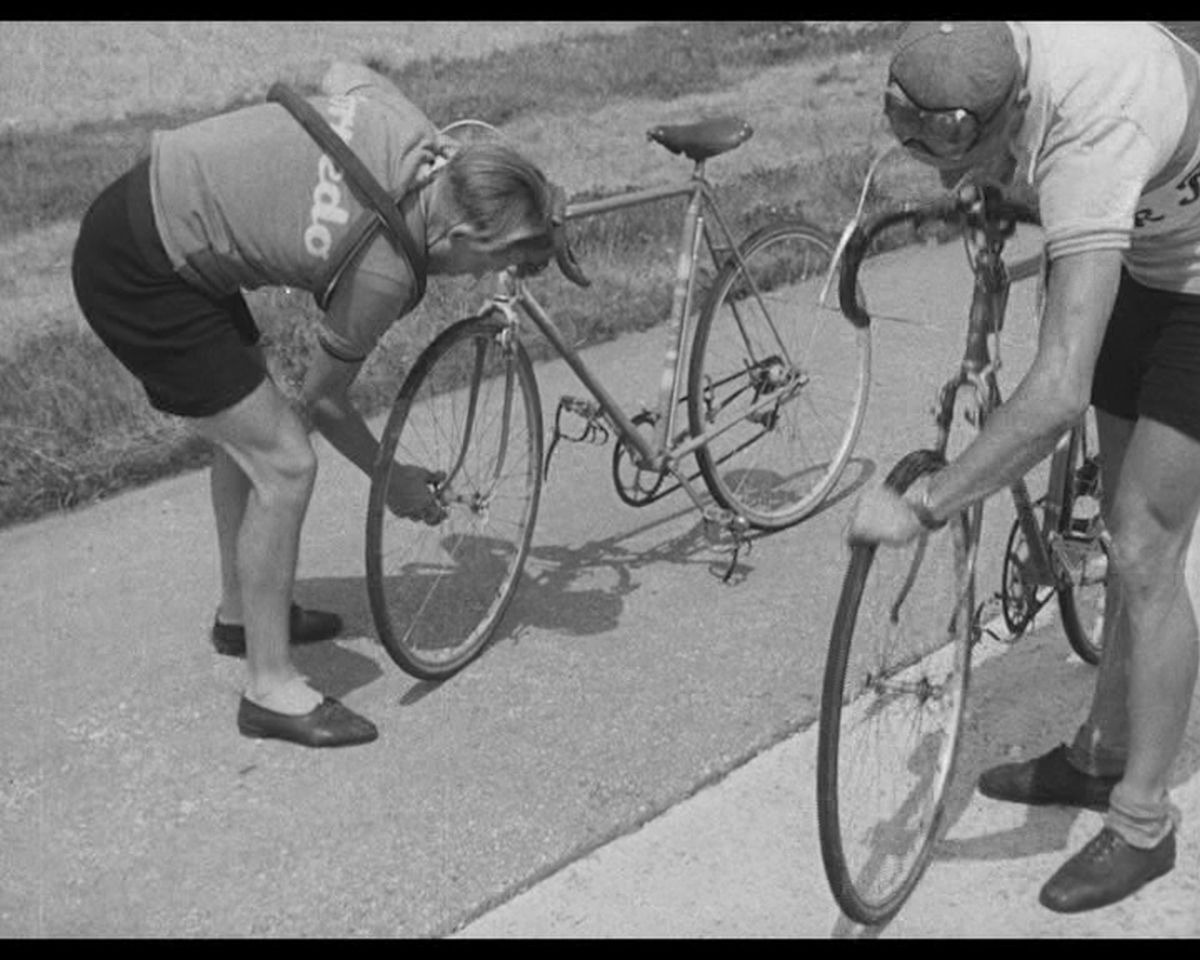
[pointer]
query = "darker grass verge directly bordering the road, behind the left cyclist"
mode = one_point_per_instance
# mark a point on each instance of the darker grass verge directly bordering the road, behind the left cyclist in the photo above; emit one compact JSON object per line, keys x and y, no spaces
{"x":75,"y":427}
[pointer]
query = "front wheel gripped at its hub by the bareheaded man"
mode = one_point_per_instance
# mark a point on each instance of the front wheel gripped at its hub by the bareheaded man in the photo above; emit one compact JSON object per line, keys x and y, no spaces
{"x":439,"y":592}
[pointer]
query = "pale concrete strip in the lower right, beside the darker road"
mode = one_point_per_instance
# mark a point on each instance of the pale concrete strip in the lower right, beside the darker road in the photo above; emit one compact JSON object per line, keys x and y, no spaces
{"x":742,"y":859}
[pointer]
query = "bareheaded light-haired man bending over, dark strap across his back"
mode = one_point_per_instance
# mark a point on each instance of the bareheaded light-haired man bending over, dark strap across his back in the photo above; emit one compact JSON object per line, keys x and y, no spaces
{"x":249,"y":200}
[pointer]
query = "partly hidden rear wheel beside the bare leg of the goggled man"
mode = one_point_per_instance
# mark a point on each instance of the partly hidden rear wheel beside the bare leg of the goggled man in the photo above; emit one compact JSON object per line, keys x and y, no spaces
{"x":1082,"y":587}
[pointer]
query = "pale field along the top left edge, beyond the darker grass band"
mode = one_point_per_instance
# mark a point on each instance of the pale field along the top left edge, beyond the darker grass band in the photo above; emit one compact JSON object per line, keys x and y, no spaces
{"x":62,"y":73}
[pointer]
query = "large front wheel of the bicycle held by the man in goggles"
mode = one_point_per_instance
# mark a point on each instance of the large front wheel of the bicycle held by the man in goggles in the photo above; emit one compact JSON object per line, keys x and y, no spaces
{"x":875,"y":855}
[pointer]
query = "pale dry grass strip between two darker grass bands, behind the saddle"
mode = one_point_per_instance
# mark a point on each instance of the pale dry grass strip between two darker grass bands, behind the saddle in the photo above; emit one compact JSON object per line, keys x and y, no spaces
{"x":805,"y":115}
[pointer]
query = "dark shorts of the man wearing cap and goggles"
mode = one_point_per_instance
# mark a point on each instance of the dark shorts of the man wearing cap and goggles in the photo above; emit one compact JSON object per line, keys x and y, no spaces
{"x":1150,"y":361}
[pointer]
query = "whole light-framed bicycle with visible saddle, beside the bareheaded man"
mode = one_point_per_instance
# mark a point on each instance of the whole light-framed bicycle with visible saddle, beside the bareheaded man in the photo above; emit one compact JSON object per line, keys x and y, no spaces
{"x":776,"y":395}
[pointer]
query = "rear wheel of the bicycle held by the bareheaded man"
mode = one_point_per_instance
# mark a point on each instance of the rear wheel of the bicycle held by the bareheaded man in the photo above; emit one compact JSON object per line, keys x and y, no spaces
{"x":778,"y":466}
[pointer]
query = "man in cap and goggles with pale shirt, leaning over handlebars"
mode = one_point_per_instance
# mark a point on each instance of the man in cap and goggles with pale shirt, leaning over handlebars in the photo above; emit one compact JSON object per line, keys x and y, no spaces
{"x":1103,"y":122}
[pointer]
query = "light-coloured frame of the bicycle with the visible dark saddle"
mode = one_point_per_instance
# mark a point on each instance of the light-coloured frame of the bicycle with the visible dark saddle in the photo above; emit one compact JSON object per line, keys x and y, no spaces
{"x":662,"y":453}
